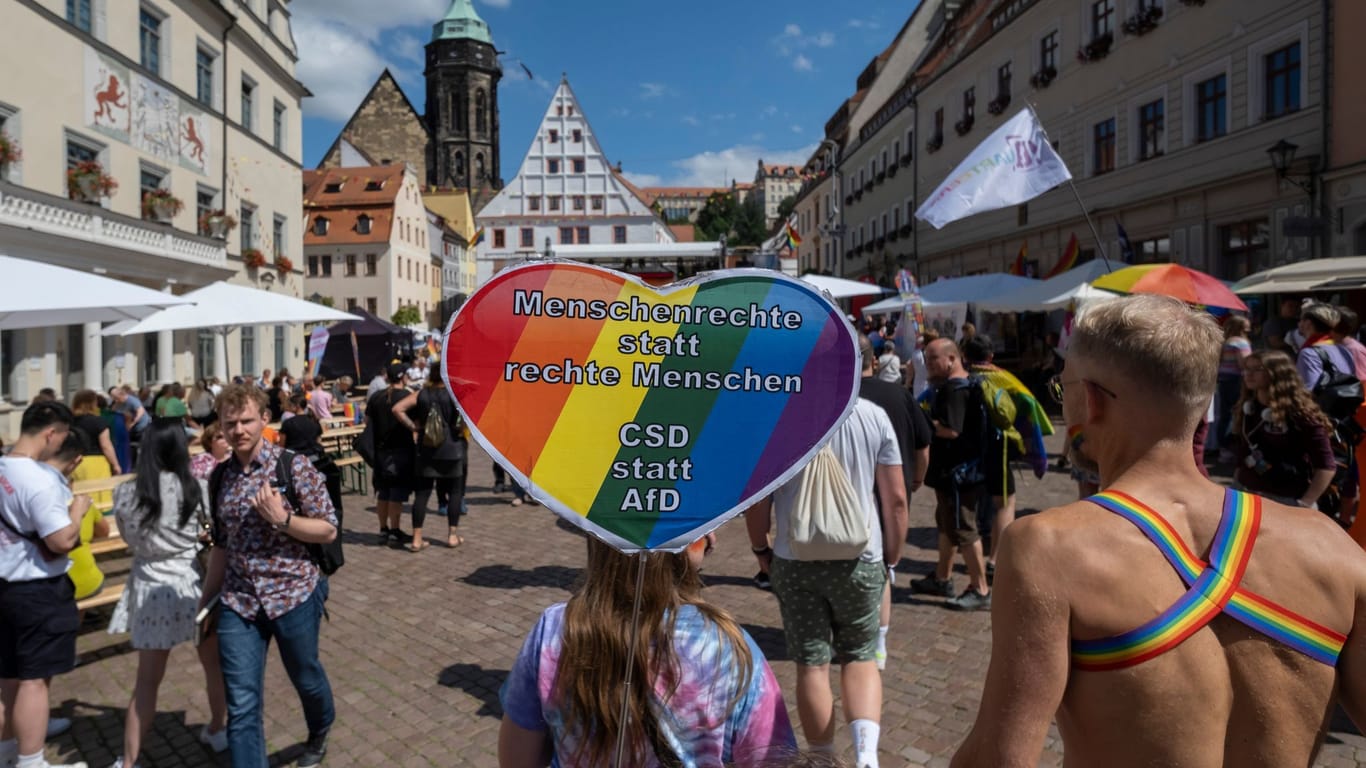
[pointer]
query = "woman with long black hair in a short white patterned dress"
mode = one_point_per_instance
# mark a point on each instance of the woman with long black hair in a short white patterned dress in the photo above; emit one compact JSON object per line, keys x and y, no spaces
{"x":159,"y":517}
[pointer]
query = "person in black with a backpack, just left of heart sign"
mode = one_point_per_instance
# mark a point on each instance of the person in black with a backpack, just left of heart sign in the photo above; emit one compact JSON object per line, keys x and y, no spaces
{"x":441,"y":465}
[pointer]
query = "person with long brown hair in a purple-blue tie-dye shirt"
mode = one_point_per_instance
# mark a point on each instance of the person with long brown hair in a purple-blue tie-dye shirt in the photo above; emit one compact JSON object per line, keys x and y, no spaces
{"x":704,"y":694}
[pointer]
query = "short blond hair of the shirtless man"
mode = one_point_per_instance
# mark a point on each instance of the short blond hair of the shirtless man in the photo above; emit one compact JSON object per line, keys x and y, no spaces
{"x":1159,"y":341}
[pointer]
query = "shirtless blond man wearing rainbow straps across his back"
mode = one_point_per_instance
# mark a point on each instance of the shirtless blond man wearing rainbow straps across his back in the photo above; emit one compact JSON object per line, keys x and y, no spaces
{"x":1211,"y":691}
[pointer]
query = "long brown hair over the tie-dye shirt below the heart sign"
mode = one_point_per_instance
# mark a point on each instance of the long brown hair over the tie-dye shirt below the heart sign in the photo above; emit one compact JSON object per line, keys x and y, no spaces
{"x":598,"y":627}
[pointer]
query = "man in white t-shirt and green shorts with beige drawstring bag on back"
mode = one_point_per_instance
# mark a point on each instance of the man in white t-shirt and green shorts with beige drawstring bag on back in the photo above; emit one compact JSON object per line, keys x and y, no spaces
{"x":828,"y":564}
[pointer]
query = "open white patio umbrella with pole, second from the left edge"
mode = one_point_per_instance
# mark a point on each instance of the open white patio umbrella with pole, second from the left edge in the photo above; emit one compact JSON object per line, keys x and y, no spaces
{"x":225,"y":307}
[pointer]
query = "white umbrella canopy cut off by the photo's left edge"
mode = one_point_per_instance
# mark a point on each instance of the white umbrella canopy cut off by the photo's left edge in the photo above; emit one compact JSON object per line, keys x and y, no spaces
{"x":40,"y":294}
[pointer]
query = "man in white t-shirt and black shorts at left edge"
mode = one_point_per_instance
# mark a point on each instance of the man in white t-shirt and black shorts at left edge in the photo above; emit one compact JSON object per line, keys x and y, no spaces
{"x":39,"y":618}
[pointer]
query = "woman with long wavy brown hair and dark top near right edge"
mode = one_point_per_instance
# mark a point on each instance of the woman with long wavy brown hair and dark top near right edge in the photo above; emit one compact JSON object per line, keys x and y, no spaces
{"x":1281,"y":437}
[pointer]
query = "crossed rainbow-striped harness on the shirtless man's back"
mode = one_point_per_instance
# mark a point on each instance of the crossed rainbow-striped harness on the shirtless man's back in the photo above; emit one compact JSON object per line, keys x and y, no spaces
{"x":1214,"y":590}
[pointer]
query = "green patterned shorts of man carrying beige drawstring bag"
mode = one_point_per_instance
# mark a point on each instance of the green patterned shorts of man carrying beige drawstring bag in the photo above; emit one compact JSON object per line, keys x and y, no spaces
{"x":830,"y":609}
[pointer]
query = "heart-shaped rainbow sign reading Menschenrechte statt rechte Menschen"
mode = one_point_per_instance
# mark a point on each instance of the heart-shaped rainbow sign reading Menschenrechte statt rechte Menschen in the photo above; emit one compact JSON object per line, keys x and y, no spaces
{"x":648,"y":417}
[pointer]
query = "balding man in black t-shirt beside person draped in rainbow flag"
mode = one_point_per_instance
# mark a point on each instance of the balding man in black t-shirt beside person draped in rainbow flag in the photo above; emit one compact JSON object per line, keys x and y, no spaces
{"x":958,"y":476}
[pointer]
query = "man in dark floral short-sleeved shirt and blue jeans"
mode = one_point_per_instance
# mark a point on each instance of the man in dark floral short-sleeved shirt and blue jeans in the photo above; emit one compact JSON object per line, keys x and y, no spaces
{"x":266,"y":580}
